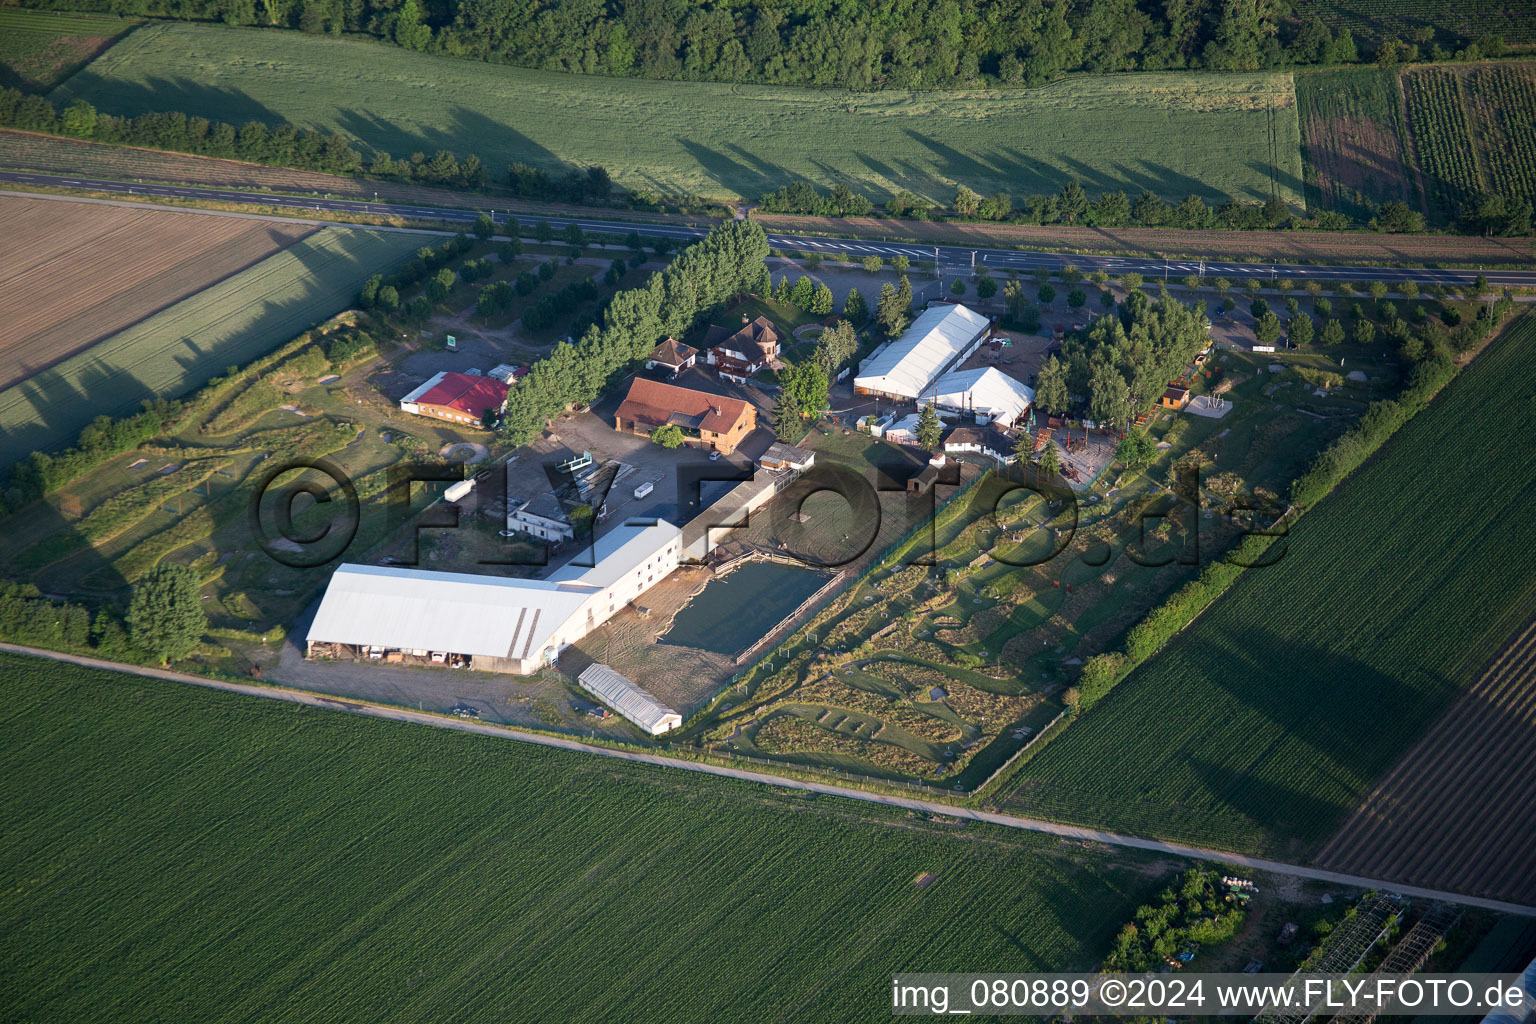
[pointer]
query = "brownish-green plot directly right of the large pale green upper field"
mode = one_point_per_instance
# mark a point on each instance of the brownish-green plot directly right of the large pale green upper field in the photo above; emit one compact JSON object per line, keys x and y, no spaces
{"x":1352,"y":140}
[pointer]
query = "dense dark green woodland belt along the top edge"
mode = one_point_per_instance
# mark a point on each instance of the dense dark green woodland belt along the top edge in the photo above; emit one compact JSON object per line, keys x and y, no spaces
{"x":856,"y":45}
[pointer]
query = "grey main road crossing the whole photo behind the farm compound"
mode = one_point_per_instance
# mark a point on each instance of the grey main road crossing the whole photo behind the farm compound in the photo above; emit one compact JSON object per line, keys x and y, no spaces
{"x":952,"y":259}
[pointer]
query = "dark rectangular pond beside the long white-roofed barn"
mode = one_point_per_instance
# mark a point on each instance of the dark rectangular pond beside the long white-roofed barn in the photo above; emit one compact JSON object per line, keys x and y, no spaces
{"x":737,"y":610}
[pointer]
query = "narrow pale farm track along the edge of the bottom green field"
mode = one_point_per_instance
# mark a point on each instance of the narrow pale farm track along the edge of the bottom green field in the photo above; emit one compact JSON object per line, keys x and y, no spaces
{"x":930,"y":807}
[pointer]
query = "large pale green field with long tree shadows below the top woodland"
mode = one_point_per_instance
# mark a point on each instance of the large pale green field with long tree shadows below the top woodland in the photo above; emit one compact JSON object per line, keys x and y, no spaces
{"x":1176,"y":134}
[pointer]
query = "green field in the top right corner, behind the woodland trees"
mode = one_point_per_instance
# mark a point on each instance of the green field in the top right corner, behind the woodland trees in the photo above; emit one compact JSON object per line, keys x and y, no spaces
{"x":1379,"y":19}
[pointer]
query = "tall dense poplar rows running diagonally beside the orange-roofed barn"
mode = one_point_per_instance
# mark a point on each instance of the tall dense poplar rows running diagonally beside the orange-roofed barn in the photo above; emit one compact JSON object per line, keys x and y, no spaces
{"x":727,"y":263}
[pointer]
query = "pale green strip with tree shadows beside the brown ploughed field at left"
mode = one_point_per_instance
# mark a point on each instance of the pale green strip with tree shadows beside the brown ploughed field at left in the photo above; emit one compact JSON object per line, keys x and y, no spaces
{"x":199,"y":339}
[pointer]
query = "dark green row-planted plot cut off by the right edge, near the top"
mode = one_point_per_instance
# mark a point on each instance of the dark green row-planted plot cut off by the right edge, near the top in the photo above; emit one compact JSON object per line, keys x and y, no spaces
{"x":1503,"y":105}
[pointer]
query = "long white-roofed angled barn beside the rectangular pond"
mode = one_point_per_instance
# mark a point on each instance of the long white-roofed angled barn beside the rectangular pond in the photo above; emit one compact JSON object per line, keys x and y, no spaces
{"x":502,"y":626}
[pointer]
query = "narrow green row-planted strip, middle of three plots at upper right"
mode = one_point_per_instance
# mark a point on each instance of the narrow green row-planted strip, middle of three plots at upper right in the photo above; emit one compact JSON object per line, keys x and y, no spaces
{"x":1443,"y":137}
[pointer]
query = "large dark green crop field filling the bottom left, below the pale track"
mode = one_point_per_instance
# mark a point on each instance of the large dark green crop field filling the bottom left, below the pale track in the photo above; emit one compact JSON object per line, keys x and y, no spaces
{"x":193,"y":856}
